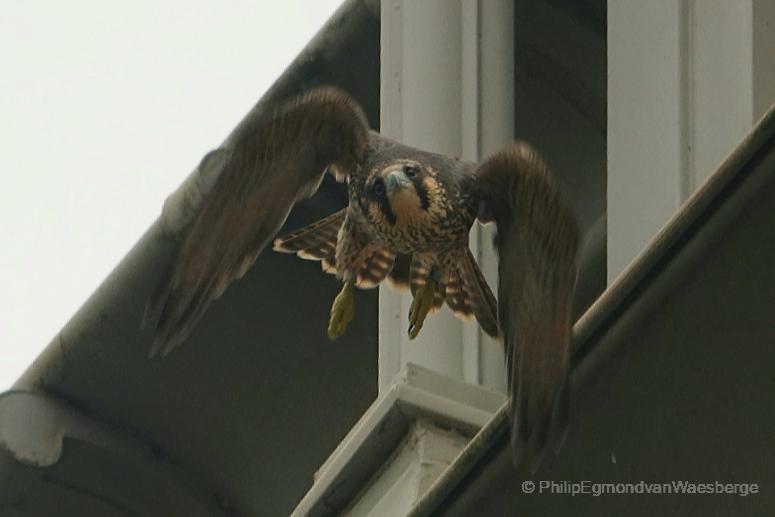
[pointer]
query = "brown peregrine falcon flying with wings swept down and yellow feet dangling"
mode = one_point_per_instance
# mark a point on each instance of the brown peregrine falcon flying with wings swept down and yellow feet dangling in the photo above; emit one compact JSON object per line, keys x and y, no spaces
{"x":407,"y":222}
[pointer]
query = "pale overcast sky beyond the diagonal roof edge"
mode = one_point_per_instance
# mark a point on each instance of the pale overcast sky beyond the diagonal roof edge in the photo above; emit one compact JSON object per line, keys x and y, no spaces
{"x":105,"y":107}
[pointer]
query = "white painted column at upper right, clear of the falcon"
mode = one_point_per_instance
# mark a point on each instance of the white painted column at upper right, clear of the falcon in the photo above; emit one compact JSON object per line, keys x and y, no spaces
{"x":686,"y":80}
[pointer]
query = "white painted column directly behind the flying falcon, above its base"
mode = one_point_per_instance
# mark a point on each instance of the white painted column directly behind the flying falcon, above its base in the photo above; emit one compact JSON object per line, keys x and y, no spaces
{"x":447,"y":86}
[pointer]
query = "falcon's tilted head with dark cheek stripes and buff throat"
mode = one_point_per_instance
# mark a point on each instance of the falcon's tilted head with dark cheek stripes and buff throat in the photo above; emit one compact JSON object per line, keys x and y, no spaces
{"x":403,"y":193}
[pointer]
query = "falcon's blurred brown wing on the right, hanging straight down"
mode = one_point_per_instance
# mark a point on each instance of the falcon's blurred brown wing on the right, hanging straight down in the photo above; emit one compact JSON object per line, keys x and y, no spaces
{"x":536,"y":241}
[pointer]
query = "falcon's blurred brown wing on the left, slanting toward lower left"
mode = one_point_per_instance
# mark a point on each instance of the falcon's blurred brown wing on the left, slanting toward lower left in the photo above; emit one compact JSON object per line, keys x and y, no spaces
{"x":273,"y":161}
